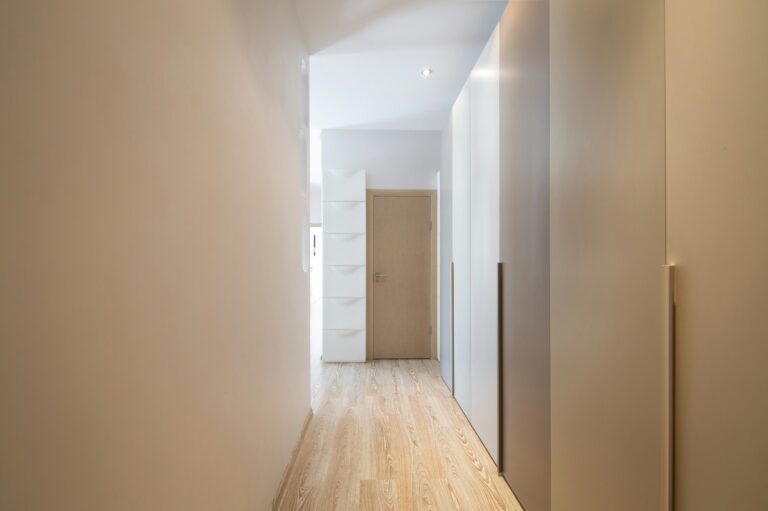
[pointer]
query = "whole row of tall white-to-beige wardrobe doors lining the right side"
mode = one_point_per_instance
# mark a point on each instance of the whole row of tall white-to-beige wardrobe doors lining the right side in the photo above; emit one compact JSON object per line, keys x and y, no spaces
{"x":633,"y":135}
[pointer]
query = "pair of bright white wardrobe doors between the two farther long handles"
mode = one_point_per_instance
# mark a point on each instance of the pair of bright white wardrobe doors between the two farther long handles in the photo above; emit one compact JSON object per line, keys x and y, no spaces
{"x":475,"y":231}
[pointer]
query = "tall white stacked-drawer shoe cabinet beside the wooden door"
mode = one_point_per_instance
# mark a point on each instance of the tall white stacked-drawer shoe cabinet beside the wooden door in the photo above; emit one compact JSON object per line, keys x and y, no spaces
{"x":344,"y":259}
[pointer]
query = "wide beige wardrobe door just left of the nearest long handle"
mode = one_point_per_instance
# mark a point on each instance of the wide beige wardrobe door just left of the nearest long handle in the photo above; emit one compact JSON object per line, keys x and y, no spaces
{"x":607,"y":251}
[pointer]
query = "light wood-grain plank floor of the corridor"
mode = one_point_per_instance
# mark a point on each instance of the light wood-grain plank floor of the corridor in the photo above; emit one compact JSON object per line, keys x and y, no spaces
{"x":388,"y":435}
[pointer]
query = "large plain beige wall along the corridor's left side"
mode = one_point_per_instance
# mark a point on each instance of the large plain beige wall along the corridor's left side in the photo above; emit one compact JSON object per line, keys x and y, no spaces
{"x":153,"y":309}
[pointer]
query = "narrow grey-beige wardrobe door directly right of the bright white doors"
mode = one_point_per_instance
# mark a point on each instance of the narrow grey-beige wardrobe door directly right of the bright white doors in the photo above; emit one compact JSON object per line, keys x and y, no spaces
{"x":524,"y":197}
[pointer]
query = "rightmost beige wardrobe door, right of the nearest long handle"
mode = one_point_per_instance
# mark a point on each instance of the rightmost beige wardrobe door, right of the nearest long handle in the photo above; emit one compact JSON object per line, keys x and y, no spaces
{"x":717,"y":204}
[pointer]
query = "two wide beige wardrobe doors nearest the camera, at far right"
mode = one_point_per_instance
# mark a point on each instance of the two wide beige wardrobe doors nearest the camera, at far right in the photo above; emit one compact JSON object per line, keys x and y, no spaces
{"x":659,"y":155}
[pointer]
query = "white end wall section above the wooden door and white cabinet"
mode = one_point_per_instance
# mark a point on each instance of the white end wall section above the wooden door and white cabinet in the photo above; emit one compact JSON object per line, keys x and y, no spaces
{"x":391,"y":159}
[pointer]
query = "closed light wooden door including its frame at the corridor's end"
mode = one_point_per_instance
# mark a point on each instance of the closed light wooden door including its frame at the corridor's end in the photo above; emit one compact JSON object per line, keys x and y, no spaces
{"x":401,"y":275}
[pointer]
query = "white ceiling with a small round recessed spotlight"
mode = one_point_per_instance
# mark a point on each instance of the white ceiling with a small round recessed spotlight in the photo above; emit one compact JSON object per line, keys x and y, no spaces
{"x":367,"y":56}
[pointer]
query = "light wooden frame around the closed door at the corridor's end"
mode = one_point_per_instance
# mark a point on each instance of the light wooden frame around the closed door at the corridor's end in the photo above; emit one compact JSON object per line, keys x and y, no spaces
{"x":371,"y":194}
